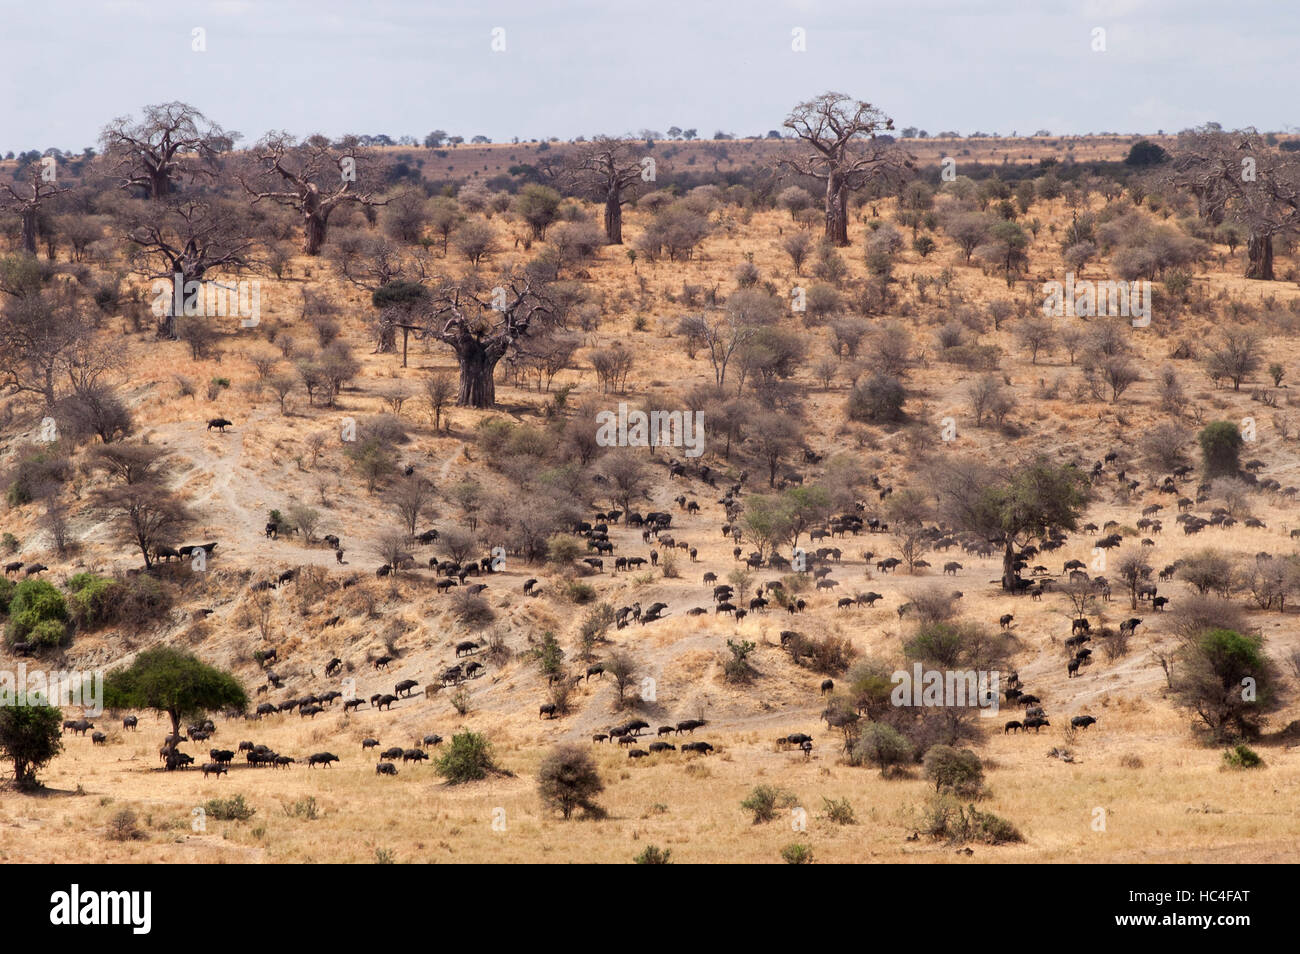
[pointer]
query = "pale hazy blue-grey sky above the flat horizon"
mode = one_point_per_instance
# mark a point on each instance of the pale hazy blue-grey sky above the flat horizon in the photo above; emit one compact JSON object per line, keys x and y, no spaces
{"x":408,"y":67}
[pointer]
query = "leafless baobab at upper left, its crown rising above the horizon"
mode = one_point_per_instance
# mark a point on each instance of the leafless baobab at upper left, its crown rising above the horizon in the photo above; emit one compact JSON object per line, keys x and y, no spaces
{"x":149,"y":154}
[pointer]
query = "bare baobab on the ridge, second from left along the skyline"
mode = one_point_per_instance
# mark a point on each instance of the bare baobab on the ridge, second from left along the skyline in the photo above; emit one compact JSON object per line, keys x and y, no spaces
{"x":318,"y":177}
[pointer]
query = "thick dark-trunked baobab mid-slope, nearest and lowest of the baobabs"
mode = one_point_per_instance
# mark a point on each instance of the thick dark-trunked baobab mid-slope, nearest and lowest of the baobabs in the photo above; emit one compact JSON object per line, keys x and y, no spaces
{"x":482,"y":331}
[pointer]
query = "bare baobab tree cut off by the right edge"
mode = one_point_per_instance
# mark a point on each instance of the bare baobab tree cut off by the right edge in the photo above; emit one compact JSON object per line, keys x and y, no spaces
{"x":1238,"y":177}
